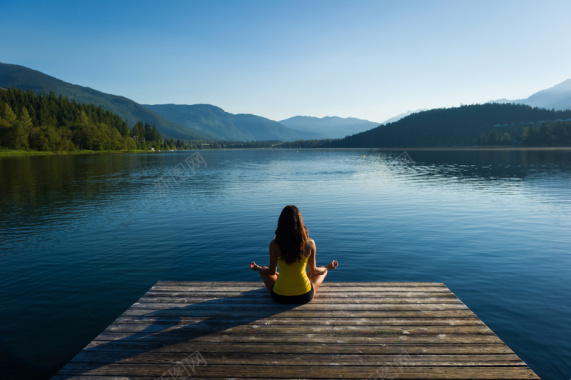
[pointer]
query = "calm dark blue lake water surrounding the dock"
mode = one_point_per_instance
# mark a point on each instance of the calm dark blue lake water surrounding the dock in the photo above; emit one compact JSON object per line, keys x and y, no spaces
{"x":84,"y":236}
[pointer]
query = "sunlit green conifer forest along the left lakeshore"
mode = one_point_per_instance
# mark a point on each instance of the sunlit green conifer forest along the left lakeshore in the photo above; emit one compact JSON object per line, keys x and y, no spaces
{"x":52,"y":123}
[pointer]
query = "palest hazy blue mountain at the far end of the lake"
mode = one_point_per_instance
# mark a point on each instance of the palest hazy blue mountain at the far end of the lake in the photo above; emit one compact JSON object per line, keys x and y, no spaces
{"x":329,"y":126}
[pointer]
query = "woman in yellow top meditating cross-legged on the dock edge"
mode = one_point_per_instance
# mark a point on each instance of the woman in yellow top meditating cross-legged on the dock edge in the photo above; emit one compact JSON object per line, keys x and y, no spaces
{"x":293,"y":250}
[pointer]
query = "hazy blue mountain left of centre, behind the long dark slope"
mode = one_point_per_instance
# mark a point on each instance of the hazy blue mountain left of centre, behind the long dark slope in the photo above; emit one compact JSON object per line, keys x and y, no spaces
{"x":226,"y":126}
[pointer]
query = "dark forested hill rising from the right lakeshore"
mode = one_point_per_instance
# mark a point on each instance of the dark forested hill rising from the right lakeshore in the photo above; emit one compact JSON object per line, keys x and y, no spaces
{"x":486,"y":124}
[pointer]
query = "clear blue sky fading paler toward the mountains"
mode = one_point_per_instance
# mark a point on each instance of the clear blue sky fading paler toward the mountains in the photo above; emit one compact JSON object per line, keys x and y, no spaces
{"x":365,"y":59}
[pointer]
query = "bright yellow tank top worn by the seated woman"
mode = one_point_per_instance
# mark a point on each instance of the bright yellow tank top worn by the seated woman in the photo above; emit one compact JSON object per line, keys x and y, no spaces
{"x":293,"y":280}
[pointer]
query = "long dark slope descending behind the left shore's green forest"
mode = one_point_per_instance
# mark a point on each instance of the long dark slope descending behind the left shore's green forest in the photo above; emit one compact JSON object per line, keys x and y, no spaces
{"x":27,"y":79}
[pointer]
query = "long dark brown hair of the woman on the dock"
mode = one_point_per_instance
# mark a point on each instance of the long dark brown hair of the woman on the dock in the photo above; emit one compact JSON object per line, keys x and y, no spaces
{"x":291,"y":234}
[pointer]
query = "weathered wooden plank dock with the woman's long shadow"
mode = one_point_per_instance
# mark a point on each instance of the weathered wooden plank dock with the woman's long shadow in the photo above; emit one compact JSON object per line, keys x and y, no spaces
{"x":193,"y":330}
